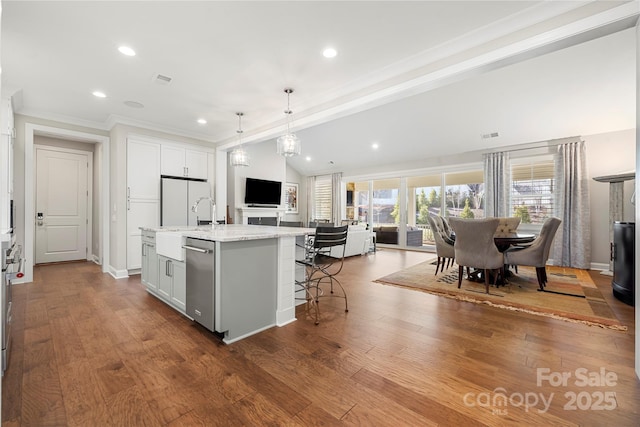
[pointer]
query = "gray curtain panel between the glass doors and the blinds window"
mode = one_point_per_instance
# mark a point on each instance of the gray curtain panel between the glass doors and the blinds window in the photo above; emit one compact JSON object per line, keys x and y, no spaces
{"x":497,"y":185}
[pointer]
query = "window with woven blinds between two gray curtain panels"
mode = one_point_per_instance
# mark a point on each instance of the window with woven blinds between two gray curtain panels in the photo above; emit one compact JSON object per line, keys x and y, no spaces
{"x":532,"y":187}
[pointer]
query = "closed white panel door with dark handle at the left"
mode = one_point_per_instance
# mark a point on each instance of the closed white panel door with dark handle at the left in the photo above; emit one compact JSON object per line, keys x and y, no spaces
{"x":61,"y":206}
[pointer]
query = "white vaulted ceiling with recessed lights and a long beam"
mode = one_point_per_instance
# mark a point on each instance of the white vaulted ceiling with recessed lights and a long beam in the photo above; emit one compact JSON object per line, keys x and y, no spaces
{"x":420,"y":79}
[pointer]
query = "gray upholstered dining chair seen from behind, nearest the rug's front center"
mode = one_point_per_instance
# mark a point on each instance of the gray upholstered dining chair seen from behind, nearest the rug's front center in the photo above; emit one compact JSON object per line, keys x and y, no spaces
{"x":475,"y":247}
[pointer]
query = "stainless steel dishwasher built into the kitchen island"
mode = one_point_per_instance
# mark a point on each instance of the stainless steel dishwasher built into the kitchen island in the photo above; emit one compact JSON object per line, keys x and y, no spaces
{"x":200,"y":258}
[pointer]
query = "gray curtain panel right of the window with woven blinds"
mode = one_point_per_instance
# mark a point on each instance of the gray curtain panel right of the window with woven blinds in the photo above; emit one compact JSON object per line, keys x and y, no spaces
{"x":572,"y":244}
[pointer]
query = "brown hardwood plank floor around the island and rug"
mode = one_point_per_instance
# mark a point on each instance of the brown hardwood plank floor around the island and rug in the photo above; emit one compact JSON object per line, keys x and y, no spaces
{"x":89,"y":350}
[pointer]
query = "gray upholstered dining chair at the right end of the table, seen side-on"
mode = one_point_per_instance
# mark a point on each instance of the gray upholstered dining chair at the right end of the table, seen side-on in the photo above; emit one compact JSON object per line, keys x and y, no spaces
{"x":537,"y":254}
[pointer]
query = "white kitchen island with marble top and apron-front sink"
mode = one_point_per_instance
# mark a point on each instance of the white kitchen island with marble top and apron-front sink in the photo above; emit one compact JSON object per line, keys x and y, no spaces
{"x":252,"y":274}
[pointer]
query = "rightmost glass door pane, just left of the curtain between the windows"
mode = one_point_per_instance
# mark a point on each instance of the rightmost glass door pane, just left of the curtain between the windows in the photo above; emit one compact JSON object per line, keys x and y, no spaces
{"x":464,"y":194}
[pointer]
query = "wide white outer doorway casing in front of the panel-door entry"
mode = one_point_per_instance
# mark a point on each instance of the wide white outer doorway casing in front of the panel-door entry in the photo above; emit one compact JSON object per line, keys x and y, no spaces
{"x":103,"y":149}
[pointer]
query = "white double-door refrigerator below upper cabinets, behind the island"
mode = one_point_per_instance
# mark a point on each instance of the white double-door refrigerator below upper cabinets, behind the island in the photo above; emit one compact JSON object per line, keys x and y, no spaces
{"x":177,"y":197}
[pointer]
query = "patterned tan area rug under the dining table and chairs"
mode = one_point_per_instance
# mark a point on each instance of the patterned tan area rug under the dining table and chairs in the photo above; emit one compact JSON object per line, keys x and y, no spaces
{"x":570,"y":293}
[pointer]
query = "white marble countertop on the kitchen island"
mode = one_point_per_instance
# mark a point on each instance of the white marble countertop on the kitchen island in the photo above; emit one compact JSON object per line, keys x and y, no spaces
{"x":233,"y":232}
